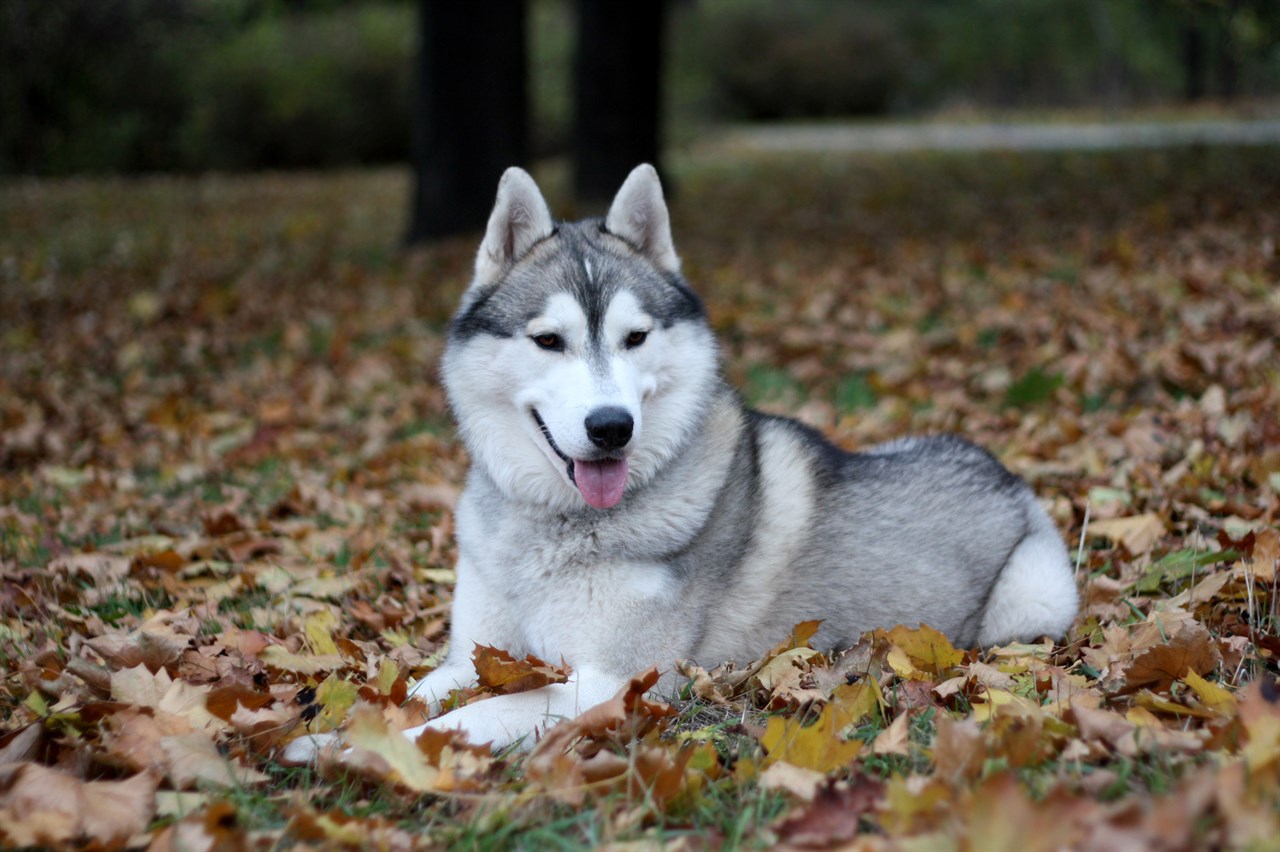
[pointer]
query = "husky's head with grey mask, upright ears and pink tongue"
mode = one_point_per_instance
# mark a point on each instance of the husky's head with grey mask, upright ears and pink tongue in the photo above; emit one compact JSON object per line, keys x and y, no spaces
{"x":579,"y":361}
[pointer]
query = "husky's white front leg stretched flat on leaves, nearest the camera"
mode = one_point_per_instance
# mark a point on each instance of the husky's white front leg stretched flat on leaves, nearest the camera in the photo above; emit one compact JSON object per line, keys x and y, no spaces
{"x":515,"y":718}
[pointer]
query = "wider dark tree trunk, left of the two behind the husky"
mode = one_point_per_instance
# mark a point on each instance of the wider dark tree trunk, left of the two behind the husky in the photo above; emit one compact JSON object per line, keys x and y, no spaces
{"x":470,"y":114}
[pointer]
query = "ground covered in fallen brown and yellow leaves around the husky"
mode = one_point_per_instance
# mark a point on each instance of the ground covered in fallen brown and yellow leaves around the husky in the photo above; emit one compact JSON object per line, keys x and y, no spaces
{"x":228,"y":475}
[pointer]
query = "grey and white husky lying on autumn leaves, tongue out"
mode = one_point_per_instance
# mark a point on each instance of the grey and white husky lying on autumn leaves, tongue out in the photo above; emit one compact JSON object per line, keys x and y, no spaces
{"x":624,"y":510}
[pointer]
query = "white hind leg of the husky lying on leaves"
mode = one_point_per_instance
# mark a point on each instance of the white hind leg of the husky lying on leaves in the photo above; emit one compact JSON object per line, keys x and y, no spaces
{"x":1035,"y":594}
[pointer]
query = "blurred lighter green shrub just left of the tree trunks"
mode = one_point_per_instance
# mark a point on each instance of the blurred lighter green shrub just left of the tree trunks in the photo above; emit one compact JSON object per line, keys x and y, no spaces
{"x":305,"y":90}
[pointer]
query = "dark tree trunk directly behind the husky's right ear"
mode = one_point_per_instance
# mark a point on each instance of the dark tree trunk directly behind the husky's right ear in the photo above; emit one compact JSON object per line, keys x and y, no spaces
{"x":618,"y":94}
